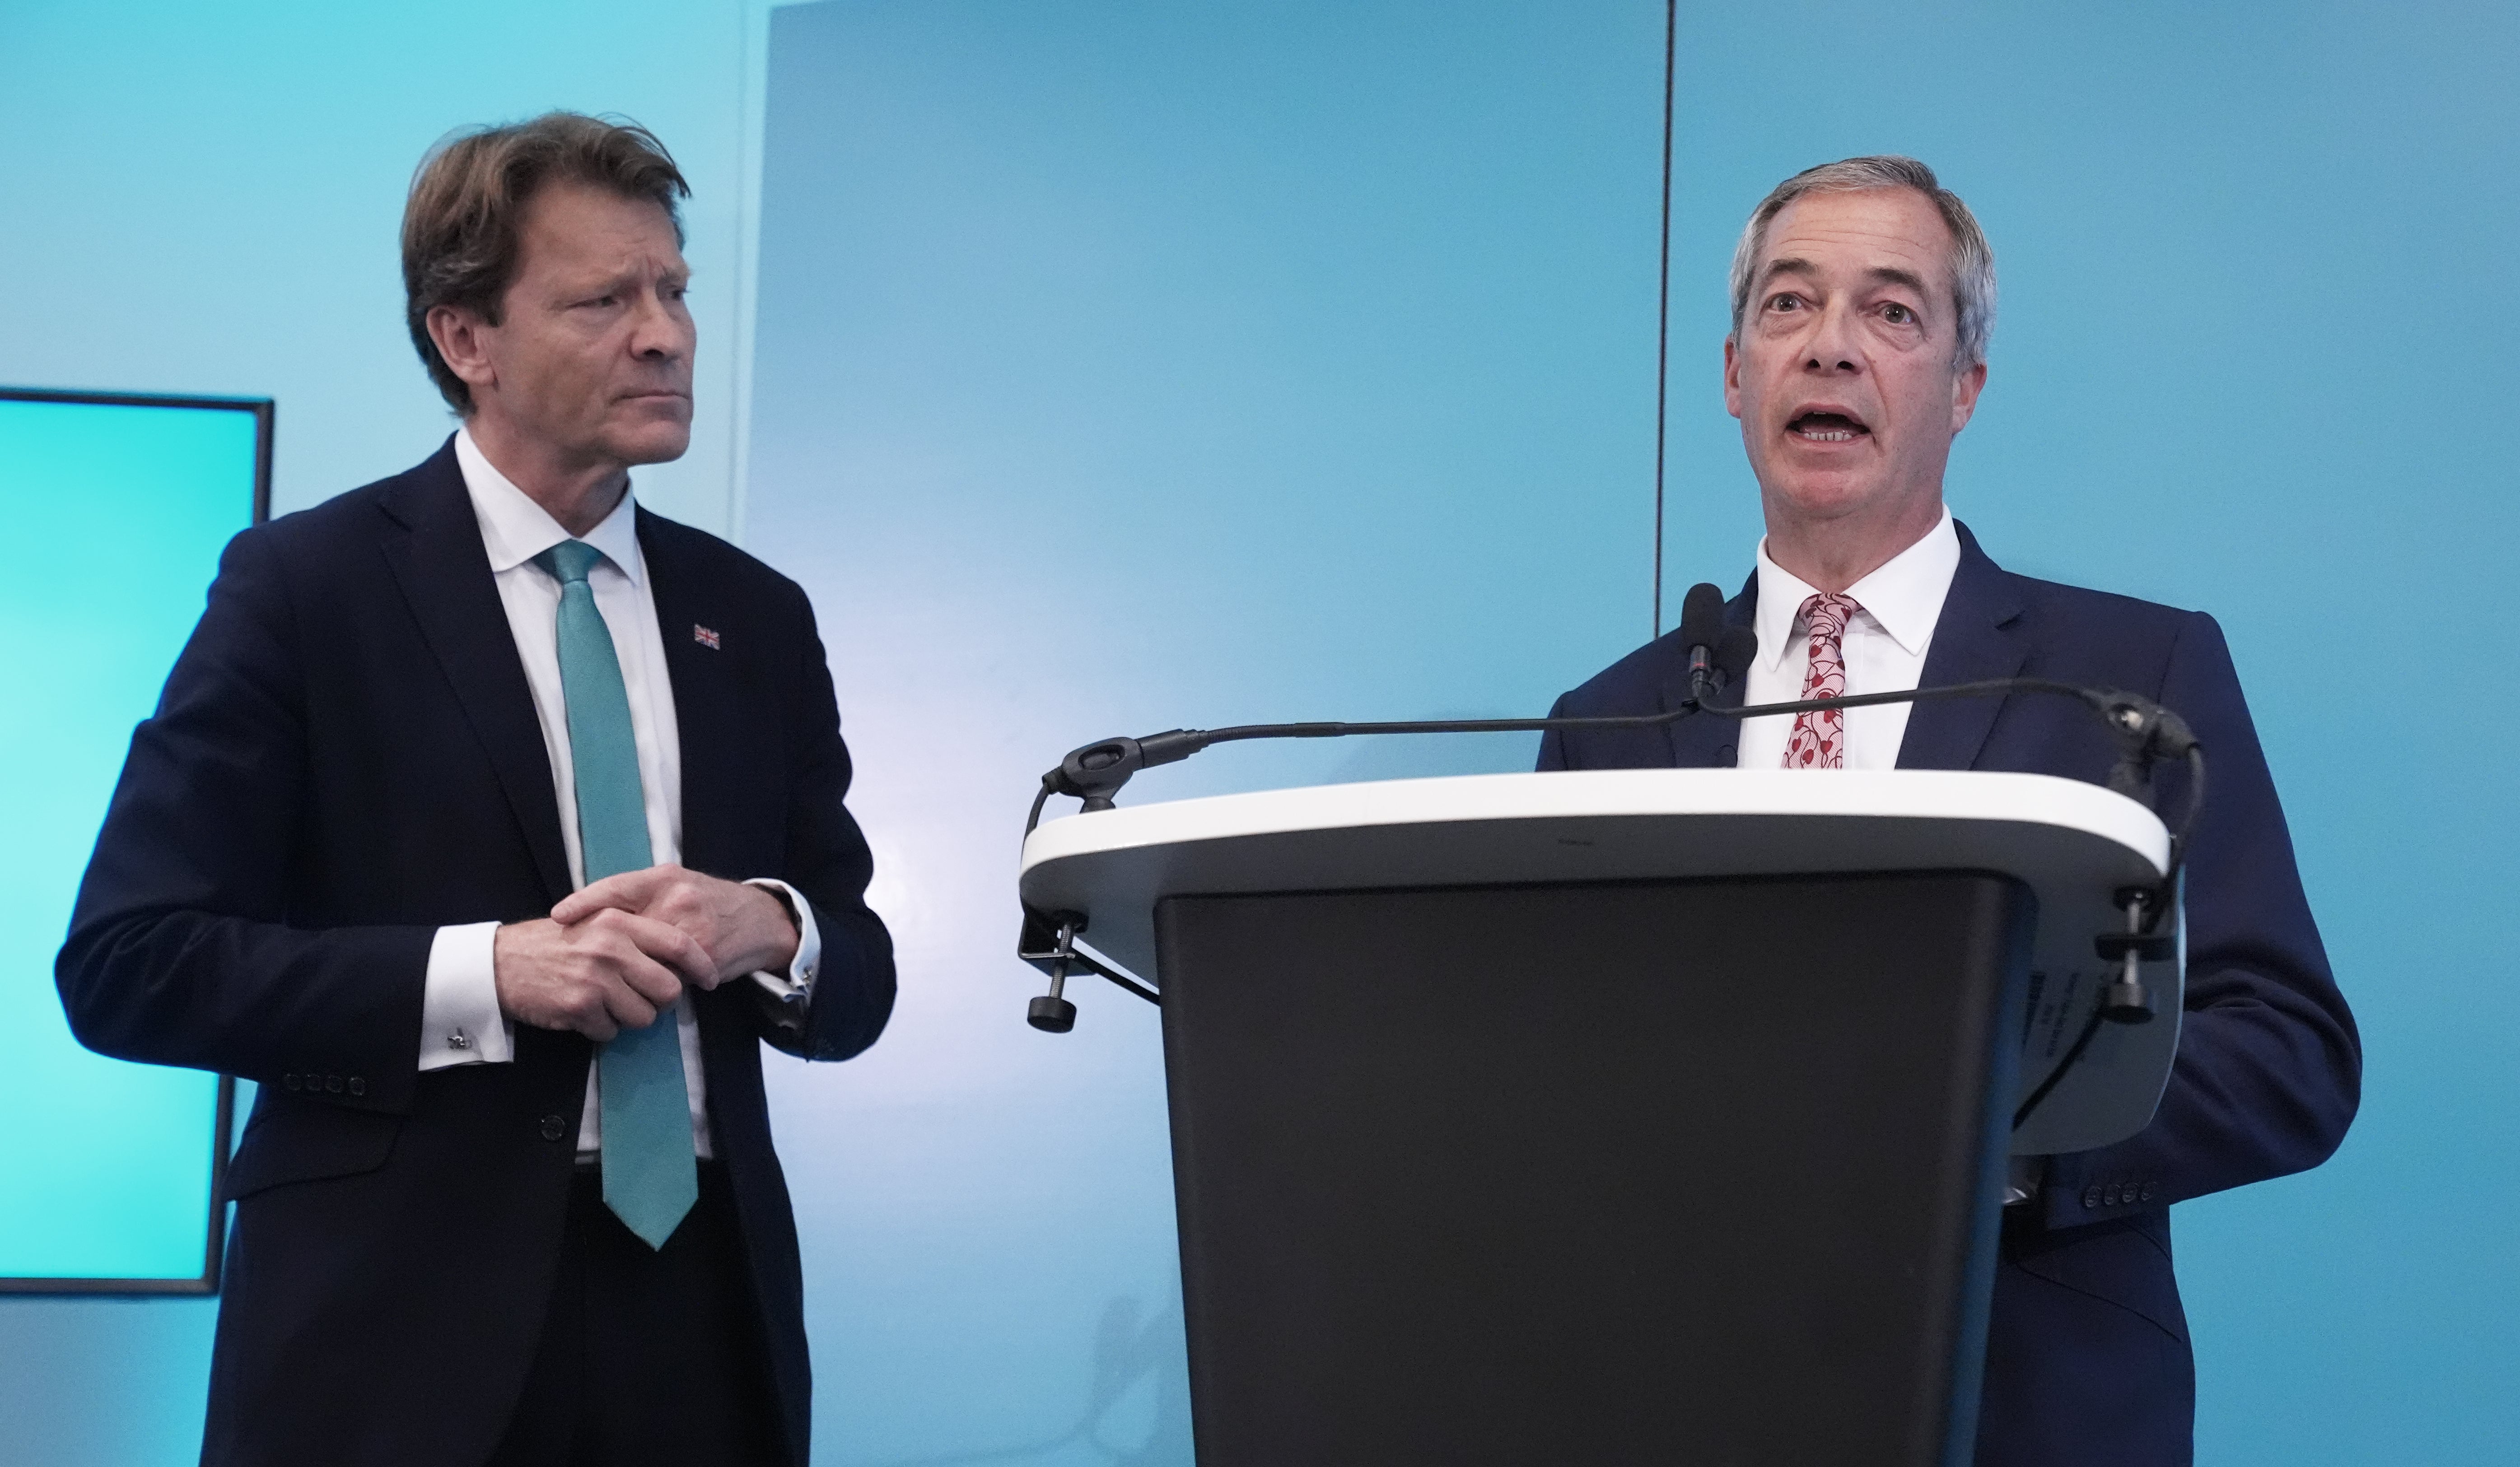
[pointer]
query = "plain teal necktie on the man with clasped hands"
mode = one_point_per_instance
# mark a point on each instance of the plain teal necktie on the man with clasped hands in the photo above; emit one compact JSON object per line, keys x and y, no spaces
{"x":646,"y":1148}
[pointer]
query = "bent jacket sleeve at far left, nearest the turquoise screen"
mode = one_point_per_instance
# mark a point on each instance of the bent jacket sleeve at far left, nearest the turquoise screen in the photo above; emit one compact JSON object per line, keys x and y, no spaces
{"x":180,"y":946}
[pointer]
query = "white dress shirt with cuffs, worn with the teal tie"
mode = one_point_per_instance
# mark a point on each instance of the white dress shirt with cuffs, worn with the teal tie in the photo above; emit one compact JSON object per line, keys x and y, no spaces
{"x":460,"y":1007}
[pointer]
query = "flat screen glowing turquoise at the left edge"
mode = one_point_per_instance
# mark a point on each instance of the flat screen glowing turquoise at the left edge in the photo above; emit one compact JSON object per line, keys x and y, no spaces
{"x":117,"y":508}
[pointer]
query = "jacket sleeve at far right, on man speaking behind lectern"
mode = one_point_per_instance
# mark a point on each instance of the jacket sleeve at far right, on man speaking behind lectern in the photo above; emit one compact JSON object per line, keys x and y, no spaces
{"x":2269,"y":1067}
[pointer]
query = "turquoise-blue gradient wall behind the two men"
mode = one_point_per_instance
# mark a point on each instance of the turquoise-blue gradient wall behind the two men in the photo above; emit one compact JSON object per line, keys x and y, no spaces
{"x":1130,"y":364}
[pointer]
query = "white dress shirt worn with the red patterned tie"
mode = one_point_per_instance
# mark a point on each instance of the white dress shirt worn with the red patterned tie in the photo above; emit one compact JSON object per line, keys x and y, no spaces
{"x":1884,"y":649}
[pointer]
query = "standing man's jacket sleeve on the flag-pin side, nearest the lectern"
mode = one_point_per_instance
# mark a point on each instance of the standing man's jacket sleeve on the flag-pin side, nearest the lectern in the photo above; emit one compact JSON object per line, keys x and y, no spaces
{"x":828,"y":861}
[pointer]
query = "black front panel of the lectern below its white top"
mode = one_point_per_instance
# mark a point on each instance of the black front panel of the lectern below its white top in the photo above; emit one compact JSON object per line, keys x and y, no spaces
{"x":1697,"y":1171}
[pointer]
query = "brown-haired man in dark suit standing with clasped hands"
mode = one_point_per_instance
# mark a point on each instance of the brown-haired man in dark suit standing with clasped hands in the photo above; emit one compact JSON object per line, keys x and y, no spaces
{"x":490,"y":826}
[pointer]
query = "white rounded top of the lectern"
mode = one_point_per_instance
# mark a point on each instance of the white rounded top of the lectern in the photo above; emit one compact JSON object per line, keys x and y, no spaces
{"x":2073,"y":843}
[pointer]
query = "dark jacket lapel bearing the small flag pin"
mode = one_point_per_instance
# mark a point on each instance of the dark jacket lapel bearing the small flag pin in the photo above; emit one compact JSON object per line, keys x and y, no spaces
{"x":704,"y":697}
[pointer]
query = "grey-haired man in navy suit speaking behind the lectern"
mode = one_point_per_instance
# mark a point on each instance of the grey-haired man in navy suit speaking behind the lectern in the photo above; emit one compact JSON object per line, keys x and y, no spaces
{"x":1864,"y":299}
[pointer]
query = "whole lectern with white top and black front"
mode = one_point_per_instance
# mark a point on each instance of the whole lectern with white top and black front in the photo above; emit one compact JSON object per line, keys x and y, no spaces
{"x":1612,"y":1118}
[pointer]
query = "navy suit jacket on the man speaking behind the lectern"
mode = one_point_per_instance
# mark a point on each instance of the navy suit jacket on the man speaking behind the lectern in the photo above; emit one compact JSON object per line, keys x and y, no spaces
{"x":2088,"y":1350}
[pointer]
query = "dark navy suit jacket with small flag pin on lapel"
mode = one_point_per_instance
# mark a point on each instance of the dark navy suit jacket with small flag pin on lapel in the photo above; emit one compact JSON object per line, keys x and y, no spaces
{"x":346,"y":760}
